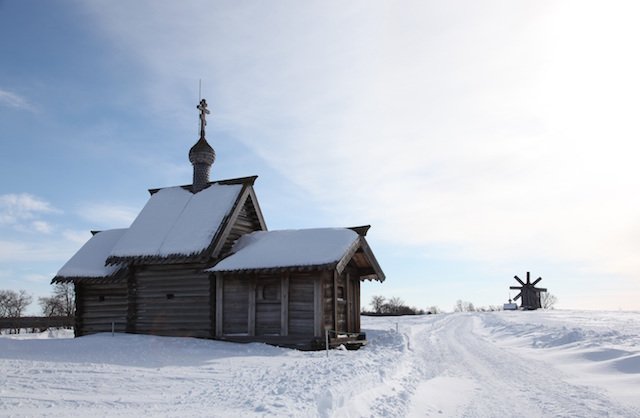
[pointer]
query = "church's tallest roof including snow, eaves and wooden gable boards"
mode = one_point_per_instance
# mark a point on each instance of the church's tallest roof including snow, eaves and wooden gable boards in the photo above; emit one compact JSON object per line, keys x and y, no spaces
{"x":178,"y":226}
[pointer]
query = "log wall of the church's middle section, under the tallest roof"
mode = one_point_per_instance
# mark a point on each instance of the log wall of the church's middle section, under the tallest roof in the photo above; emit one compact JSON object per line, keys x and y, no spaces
{"x":172,"y":301}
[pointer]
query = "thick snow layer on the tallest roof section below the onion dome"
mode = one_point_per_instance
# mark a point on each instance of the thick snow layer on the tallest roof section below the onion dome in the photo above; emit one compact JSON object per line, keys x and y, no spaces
{"x":177,"y":222}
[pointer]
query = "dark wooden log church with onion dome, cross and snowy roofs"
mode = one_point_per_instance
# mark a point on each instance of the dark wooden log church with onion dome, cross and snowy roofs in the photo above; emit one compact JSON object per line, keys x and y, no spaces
{"x":198,"y":261}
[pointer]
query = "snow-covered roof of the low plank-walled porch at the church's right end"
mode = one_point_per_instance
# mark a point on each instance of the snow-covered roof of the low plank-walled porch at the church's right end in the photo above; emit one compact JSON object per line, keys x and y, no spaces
{"x":263,"y":250}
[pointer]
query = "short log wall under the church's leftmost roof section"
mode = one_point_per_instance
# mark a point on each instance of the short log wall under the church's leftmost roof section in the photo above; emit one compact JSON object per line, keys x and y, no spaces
{"x":98,"y":306}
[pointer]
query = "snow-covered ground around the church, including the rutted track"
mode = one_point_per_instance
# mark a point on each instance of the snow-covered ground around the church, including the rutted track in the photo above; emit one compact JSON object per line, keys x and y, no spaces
{"x":500,"y":364}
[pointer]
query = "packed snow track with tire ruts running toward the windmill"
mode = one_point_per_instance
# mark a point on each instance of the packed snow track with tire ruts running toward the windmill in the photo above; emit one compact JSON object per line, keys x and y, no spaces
{"x":487,"y":380}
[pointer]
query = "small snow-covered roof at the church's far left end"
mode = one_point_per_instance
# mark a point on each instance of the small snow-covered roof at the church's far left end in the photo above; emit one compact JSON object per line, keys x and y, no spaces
{"x":89,"y":261}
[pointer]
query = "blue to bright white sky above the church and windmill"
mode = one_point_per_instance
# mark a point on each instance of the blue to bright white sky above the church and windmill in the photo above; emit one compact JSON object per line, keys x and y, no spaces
{"x":480,"y":140}
